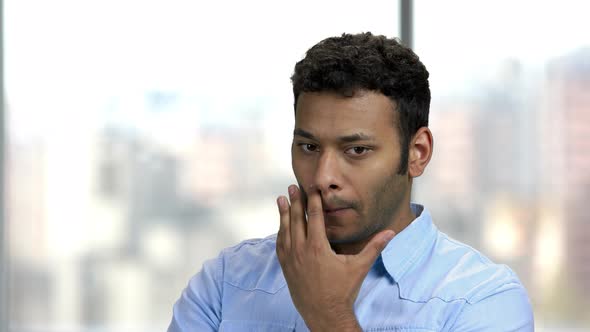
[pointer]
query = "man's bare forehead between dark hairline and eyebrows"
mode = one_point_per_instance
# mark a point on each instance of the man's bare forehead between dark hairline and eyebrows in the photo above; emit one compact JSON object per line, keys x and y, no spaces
{"x":328,"y":115}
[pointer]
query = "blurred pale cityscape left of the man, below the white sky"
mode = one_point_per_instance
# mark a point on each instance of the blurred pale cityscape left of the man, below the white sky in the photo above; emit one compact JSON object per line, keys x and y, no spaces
{"x":154,"y":212}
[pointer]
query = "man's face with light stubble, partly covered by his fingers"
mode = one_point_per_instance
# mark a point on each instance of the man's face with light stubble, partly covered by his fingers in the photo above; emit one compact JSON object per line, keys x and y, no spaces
{"x":348,"y":149}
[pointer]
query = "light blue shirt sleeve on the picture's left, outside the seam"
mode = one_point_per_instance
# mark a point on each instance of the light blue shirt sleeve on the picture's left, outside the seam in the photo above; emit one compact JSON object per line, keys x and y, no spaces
{"x":199,"y":306}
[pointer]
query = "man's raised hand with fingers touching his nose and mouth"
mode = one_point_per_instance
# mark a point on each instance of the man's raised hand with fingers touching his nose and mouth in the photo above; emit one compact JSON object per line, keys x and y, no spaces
{"x":323,"y":284}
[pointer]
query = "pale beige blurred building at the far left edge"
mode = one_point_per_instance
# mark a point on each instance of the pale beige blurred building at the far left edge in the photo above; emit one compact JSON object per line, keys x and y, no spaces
{"x":29,"y":281}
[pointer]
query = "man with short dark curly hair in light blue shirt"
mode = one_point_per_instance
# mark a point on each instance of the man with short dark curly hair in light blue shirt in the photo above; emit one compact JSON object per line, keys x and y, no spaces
{"x":352,"y":253}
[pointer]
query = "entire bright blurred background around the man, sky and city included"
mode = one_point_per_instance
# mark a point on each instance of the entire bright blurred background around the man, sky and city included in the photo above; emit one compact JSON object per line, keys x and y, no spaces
{"x":141,"y":137}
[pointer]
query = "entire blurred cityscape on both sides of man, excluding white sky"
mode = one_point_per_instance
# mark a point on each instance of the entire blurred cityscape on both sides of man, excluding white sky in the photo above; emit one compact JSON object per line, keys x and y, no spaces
{"x":510,"y":176}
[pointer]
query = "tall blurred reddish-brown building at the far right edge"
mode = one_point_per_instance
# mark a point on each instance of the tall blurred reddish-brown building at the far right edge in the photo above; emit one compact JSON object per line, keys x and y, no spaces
{"x":566,"y":137}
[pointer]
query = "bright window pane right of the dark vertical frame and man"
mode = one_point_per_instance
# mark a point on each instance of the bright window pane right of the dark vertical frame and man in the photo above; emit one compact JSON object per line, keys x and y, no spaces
{"x":510,"y":117}
